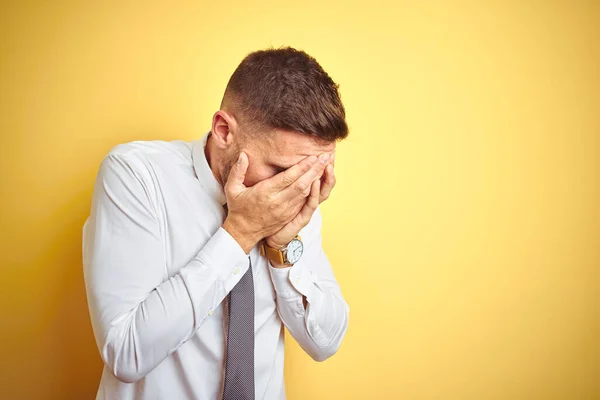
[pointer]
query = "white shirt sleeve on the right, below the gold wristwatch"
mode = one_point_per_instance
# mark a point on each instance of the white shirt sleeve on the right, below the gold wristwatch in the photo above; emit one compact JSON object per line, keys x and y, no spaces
{"x":320,"y":328}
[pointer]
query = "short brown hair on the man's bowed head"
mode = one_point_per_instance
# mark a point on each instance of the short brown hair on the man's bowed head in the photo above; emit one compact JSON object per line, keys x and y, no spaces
{"x":285,"y":89}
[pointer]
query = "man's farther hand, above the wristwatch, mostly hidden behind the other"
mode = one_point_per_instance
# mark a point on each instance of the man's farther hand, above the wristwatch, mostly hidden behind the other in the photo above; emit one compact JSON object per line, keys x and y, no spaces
{"x":320,"y":191}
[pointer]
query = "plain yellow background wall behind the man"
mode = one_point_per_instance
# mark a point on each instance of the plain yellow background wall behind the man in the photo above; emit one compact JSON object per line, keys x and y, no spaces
{"x":465,"y":225}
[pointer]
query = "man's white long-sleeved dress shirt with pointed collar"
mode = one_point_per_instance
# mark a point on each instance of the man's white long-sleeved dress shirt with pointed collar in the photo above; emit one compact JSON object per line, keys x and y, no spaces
{"x":158,"y":265}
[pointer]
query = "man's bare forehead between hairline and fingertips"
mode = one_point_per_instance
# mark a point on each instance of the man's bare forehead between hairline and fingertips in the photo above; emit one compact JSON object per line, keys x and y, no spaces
{"x":289,"y":148}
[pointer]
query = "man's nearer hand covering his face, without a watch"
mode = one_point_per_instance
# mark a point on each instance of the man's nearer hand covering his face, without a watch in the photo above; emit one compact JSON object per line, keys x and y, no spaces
{"x":263,"y":209}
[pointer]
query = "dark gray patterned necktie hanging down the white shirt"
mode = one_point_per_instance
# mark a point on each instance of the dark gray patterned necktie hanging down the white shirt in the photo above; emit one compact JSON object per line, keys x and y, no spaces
{"x":239,"y":359}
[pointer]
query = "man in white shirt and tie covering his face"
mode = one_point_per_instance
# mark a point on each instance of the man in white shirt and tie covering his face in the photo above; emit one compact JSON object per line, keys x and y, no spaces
{"x":196,"y":255}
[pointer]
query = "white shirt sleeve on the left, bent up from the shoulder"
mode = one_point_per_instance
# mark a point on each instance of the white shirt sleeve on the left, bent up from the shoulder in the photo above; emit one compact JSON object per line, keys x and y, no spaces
{"x":139,"y":314}
